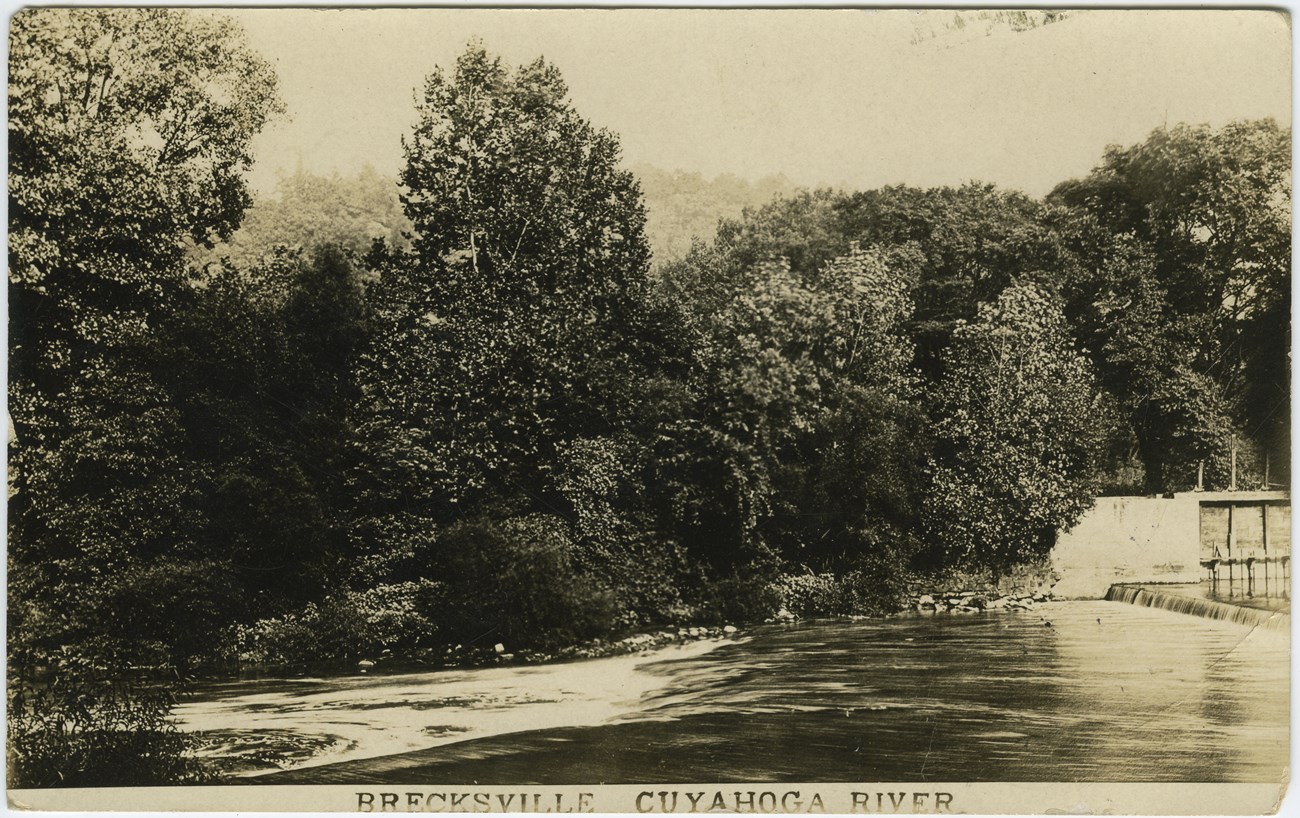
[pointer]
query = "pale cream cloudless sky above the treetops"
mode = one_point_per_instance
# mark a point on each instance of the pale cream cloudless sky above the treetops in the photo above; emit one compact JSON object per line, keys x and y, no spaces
{"x":852,"y":99}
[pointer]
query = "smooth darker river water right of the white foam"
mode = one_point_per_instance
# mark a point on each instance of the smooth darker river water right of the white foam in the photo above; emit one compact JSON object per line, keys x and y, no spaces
{"x":1078,"y":691}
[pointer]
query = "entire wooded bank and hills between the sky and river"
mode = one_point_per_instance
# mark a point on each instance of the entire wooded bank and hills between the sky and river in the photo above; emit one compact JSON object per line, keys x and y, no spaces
{"x":418,"y":418}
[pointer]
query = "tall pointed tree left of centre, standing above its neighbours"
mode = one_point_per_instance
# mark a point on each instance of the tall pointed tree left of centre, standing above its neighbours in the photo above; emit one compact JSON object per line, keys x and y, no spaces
{"x":523,"y":318}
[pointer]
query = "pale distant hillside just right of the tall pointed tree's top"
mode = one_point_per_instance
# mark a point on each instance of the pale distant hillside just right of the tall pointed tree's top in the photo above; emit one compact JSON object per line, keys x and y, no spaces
{"x":682,"y":207}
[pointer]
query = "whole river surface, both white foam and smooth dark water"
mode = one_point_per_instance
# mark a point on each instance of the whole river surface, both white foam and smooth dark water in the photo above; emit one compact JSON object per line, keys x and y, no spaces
{"x":1069,"y":693}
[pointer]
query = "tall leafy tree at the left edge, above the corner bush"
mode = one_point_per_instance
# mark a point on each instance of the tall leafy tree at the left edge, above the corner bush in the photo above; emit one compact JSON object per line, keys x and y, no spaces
{"x":129,"y":133}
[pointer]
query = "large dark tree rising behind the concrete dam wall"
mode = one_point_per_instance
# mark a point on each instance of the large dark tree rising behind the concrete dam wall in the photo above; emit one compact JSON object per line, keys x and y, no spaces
{"x":1210,"y":213}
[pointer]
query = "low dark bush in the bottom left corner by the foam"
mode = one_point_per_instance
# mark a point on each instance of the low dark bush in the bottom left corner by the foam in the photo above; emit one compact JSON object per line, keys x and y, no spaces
{"x":89,"y":724}
